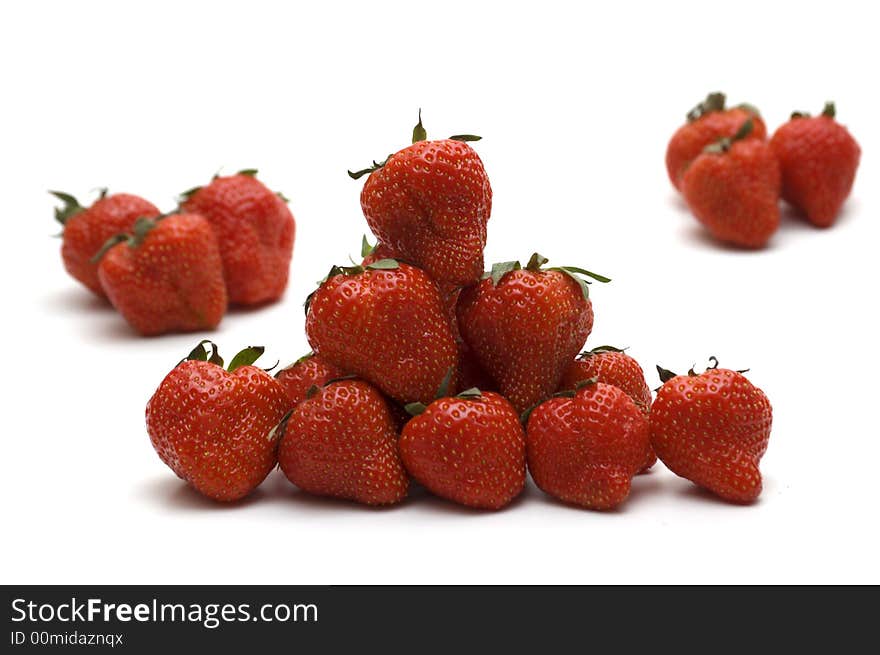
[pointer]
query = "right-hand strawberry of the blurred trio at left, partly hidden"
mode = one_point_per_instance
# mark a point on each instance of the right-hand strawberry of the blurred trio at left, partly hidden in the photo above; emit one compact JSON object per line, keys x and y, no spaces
{"x":255,"y":230}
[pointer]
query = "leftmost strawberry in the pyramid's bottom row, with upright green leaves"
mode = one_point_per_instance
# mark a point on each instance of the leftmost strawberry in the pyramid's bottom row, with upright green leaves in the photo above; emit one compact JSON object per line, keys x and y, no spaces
{"x":215,"y":428}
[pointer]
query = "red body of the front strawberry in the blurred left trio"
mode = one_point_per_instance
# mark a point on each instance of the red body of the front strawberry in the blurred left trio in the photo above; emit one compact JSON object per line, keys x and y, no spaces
{"x":171,"y":282}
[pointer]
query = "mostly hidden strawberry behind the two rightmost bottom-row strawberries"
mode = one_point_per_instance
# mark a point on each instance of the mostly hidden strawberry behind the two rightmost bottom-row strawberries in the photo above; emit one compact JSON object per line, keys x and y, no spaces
{"x":612,"y":366}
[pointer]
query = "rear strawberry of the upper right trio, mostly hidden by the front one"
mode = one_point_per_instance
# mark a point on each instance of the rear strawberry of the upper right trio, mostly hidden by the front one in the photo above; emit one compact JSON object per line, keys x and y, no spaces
{"x":706,"y":123}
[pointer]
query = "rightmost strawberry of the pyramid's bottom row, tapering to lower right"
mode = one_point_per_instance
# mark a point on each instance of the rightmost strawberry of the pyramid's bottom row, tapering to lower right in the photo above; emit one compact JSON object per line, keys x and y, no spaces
{"x":712,"y":429}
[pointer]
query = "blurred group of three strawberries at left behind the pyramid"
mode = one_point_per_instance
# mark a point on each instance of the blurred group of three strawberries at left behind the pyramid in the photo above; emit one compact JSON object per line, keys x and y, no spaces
{"x":229,"y":241}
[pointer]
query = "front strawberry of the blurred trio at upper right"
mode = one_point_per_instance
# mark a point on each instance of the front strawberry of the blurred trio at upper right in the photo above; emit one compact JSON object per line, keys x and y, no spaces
{"x":733,"y":189}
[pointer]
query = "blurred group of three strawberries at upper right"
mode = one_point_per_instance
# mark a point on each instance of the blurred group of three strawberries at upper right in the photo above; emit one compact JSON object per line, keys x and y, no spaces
{"x":732,"y":176}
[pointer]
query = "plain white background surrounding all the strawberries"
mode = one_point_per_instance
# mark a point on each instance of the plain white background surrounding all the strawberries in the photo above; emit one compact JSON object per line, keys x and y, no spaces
{"x":575,"y":104}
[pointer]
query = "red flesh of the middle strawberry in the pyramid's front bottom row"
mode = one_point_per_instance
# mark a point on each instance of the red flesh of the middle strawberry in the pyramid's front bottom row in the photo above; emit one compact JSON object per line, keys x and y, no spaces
{"x":469,"y":451}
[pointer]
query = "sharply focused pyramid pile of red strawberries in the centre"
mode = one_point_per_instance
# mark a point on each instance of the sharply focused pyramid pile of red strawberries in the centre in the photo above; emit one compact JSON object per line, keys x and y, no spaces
{"x":424,"y":368}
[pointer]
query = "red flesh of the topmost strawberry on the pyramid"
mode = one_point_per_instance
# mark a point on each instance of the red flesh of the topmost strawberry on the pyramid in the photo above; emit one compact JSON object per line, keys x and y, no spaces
{"x":430,"y":204}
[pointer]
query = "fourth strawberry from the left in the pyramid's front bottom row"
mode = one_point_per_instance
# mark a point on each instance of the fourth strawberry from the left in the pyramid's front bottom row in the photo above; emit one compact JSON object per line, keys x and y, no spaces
{"x":585,"y":446}
